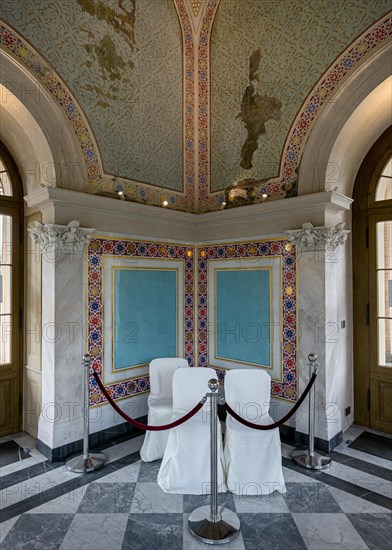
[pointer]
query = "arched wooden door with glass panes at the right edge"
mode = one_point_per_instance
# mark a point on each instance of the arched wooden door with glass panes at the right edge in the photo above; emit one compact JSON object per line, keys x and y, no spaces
{"x":372,"y":287}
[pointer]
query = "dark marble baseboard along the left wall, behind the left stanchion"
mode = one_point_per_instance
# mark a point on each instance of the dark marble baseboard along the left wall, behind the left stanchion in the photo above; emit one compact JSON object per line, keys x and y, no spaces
{"x":114,"y":434}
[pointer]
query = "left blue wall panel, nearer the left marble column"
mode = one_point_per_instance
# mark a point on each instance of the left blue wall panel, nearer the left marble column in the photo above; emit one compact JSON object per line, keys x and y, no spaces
{"x":145,"y":316}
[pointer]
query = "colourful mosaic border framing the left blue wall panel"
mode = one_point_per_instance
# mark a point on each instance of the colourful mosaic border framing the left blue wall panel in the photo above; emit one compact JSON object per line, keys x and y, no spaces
{"x":96,"y":251}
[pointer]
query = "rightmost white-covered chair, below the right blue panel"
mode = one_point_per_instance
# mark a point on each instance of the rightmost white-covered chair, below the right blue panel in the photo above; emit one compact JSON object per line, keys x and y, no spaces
{"x":253,"y":457}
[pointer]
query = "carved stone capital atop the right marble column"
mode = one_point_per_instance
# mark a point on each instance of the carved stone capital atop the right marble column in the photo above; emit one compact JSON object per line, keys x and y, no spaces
{"x":311,"y":238}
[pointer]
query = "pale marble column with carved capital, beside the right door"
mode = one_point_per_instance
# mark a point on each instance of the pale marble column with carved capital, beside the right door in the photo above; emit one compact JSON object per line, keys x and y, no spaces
{"x":320,"y":251}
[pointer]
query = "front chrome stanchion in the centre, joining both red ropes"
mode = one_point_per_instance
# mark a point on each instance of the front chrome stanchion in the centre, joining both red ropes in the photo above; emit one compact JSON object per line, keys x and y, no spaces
{"x":211,"y":524}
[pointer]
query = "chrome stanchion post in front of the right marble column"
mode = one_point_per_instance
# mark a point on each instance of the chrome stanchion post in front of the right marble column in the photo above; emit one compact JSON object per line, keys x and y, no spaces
{"x":310,"y":458}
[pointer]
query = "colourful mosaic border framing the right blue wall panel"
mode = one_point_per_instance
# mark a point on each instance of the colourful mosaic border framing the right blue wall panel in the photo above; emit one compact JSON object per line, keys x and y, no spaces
{"x":287,"y":389}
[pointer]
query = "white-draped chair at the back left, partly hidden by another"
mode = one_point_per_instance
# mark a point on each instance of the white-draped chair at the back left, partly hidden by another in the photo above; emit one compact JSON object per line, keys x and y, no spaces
{"x":160,"y":405}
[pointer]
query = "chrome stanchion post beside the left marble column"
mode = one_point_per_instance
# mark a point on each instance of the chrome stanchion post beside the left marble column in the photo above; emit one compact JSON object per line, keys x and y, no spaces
{"x":86,"y":462}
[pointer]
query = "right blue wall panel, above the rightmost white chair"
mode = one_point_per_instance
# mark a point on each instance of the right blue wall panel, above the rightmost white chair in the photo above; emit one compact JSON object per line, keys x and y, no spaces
{"x":243,"y":315}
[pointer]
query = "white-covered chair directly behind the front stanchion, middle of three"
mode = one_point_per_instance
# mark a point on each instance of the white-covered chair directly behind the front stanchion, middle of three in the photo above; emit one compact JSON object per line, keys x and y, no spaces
{"x":185,"y":467}
